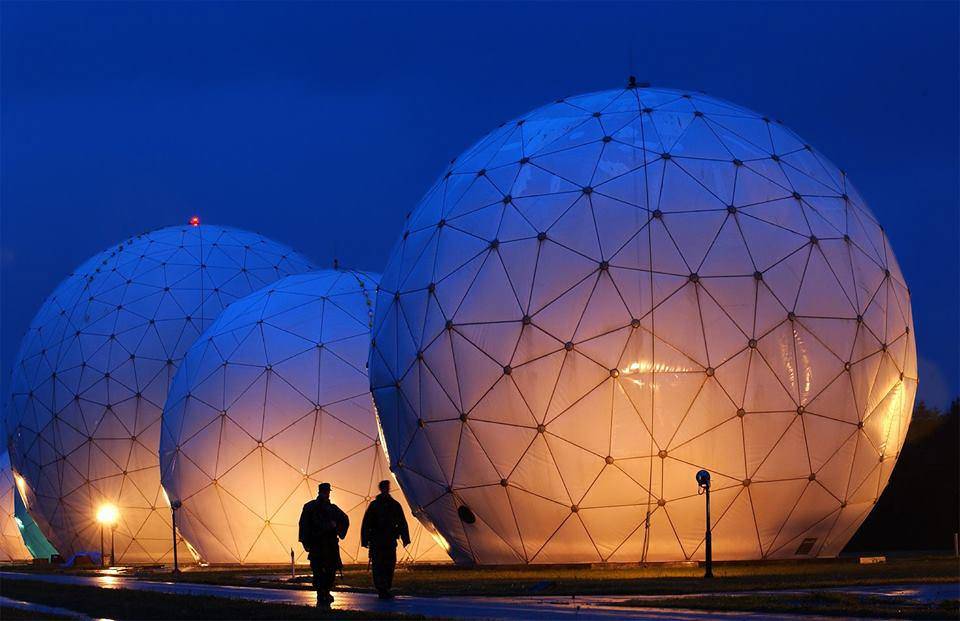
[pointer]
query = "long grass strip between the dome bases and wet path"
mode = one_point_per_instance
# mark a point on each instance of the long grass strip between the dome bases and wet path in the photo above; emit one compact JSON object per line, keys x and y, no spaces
{"x":652,"y":580}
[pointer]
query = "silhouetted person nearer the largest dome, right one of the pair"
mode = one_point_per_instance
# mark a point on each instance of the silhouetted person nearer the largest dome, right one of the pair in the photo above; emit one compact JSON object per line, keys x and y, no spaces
{"x":383,"y":523}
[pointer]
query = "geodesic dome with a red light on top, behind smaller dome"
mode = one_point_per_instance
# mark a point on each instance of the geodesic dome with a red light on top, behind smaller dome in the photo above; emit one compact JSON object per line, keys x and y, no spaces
{"x":92,"y":374}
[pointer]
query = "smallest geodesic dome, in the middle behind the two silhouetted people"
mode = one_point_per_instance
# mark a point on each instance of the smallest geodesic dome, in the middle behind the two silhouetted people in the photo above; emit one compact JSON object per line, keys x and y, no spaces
{"x":270,"y":401}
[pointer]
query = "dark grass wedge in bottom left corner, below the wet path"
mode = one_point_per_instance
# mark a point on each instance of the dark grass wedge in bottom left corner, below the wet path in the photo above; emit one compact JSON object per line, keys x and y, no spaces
{"x":134,"y":605}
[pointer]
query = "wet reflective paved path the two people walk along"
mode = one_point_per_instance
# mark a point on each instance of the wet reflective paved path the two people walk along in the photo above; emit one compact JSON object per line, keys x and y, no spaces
{"x":528,"y":607}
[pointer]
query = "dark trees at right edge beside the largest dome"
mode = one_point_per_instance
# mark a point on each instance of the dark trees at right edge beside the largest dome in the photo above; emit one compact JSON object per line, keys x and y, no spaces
{"x":920,"y":509}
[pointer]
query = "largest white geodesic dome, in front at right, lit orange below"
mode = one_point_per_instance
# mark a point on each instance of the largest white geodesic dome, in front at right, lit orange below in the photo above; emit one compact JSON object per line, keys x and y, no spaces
{"x":618,"y":289}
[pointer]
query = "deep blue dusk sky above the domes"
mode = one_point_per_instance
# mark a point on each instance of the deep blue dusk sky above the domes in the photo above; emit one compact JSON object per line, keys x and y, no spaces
{"x":321,"y":125}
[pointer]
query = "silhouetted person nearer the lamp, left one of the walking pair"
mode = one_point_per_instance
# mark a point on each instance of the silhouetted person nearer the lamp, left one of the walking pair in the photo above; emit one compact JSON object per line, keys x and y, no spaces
{"x":322,"y":524}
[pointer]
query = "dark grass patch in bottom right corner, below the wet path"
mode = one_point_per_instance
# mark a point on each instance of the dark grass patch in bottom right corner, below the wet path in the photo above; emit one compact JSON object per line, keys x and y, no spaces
{"x":831,"y":604}
